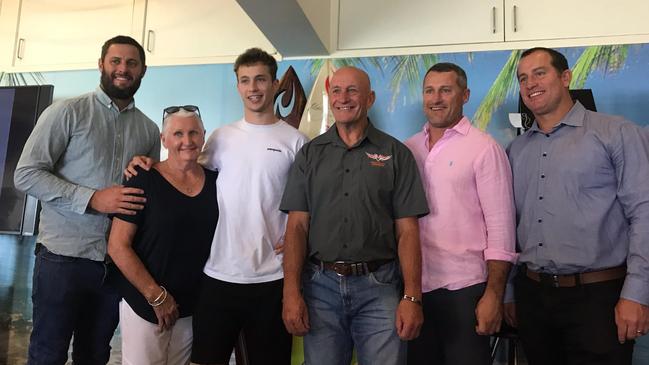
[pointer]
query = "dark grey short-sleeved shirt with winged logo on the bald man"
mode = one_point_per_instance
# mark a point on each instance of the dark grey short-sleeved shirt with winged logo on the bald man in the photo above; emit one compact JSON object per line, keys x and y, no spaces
{"x":353,"y":195}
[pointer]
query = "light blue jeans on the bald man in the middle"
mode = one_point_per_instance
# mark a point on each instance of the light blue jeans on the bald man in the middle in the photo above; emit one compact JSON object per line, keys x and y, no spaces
{"x":348,"y":311}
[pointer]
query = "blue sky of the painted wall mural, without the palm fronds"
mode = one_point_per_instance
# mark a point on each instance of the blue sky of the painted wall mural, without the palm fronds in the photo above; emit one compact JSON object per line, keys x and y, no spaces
{"x":623,"y":90}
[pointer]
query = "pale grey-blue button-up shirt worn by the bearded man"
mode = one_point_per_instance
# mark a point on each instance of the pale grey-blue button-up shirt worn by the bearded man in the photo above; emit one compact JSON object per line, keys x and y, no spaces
{"x":78,"y":146}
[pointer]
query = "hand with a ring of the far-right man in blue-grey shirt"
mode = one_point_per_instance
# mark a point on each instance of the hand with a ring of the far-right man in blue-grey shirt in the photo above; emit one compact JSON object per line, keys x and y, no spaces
{"x":632,"y":319}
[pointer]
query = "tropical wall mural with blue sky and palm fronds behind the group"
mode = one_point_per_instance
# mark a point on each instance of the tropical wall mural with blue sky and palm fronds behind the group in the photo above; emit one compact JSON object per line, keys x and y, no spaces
{"x":618,"y":76}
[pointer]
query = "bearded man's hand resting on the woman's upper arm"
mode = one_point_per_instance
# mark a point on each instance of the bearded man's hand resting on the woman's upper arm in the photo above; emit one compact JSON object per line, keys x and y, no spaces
{"x":117,"y":199}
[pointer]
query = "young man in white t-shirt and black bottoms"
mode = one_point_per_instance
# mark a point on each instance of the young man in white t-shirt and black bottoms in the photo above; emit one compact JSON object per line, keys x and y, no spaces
{"x":242,"y":289}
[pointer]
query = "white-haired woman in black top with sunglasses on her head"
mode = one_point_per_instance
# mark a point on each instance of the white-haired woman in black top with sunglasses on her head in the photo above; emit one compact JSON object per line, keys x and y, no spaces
{"x":161,"y":250}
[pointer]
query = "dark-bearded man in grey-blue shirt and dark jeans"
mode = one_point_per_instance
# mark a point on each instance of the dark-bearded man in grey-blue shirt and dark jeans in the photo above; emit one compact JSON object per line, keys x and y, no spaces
{"x":73,"y":163}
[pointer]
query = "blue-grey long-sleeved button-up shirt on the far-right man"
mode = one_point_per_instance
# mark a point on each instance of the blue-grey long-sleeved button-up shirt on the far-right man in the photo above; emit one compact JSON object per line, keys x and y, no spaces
{"x":582,"y":198}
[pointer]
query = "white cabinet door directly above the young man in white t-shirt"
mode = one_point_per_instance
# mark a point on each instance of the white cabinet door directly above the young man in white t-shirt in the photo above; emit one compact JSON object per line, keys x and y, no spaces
{"x":200,"y":31}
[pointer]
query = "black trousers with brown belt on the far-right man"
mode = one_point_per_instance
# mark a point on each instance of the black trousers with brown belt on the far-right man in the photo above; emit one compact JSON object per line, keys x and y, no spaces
{"x":570,"y":326}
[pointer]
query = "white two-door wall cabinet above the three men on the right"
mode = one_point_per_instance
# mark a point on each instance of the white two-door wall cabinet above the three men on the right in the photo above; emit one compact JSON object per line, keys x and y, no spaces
{"x":364,"y":26}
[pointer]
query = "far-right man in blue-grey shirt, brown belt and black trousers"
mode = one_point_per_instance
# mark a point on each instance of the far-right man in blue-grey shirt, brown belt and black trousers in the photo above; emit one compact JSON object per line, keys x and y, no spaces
{"x":582,"y":202}
